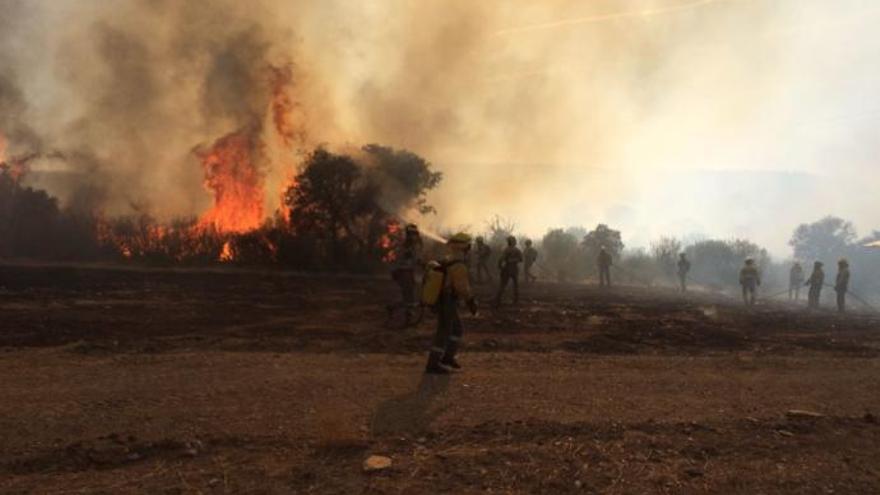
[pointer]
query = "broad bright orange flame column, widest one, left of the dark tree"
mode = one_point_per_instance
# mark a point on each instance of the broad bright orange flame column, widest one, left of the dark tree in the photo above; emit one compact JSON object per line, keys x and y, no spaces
{"x":232,"y":174}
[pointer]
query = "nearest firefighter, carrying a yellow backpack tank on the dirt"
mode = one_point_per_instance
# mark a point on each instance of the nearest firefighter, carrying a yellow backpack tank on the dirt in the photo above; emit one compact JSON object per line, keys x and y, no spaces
{"x":456,"y":287}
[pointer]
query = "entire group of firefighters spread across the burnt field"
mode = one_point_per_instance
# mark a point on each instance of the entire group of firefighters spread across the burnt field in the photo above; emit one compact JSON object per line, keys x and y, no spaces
{"x":456,"y":283}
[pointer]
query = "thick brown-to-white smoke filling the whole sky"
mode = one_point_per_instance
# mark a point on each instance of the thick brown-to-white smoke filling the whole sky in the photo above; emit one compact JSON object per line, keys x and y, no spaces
{"x":660,"y":117}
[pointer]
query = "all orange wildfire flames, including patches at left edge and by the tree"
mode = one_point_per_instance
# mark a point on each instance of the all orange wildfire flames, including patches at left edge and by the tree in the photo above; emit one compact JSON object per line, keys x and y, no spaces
{"x":235,"y":227}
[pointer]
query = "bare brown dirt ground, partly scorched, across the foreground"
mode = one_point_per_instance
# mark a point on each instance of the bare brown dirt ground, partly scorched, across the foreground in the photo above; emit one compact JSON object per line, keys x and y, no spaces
{"x":198,"y":381}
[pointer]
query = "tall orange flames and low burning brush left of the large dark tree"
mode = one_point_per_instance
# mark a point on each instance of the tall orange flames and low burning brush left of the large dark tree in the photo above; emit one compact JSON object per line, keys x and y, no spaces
{"x":233,"y":168}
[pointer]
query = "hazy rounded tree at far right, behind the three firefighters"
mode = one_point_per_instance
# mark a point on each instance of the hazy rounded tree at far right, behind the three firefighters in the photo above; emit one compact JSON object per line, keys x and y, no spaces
{"x":823,"y":240}
